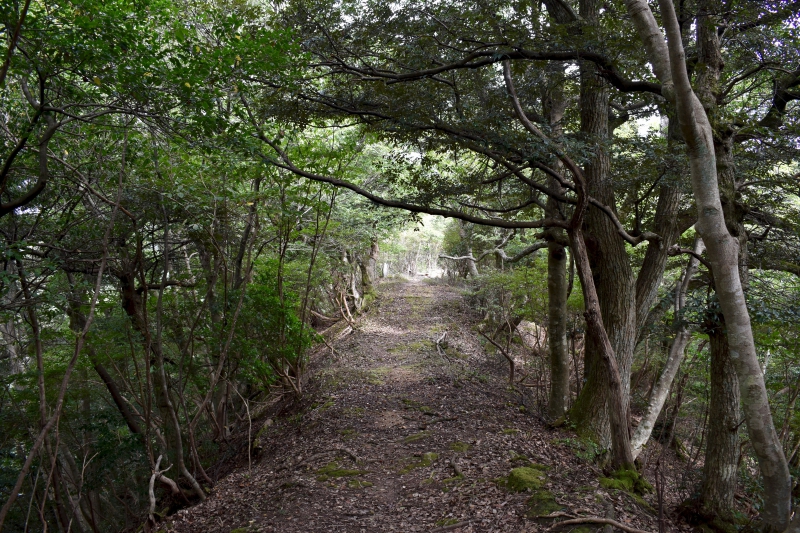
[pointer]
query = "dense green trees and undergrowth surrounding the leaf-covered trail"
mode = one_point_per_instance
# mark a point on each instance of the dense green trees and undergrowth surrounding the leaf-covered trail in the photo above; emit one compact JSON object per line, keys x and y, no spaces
{"x":193,"y":192}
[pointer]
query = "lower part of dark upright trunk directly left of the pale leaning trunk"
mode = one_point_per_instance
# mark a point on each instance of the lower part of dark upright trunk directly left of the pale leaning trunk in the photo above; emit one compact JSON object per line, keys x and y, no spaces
{"x":722,"y":444}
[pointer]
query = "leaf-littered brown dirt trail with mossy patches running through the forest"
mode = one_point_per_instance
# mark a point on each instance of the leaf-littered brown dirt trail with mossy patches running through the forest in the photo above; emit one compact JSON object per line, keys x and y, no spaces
{"x":396,"y":437}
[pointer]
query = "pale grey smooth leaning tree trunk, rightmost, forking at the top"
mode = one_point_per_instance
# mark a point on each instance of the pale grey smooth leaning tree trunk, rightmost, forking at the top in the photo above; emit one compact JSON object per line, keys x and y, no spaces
{"x":723,"y":253}
